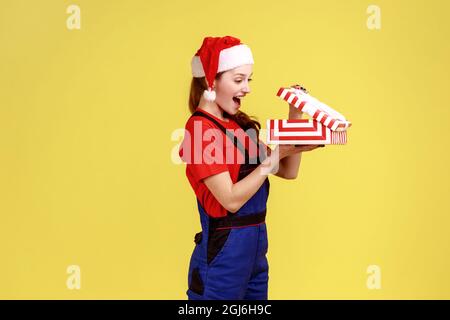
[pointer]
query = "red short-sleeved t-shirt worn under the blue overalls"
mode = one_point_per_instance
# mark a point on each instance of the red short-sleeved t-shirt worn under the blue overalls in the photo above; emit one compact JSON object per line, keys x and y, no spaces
{"x":211,"y":152}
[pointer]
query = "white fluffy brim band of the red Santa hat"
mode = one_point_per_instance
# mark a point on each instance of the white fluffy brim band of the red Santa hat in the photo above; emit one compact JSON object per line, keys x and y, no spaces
{"x":229,"y":58}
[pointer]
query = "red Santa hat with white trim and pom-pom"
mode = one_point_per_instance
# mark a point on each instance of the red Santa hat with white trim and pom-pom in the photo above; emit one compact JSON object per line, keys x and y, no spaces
{"x":219,"y":54}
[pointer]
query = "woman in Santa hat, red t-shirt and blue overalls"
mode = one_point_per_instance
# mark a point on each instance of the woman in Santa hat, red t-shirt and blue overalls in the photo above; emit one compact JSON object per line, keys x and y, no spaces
{"x":228,"y":168}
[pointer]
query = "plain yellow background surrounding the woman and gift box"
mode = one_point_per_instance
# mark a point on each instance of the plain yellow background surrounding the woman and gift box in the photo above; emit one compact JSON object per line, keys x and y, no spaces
{"x":86,"y":118}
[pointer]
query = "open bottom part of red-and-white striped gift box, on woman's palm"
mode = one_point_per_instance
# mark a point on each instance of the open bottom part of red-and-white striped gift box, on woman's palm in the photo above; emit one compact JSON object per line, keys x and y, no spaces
{"x":302,"y":131}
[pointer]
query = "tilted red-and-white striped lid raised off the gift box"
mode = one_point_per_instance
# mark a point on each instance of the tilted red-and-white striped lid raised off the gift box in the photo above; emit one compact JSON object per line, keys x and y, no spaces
{"x":317,"y":110}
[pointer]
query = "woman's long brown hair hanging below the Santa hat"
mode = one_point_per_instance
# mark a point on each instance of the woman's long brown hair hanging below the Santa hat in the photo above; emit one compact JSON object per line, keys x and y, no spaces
{"x":198,"y":85}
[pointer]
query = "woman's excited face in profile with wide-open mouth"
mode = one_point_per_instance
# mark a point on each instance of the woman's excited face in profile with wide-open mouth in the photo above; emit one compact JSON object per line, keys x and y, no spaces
{"x":232,"y":87}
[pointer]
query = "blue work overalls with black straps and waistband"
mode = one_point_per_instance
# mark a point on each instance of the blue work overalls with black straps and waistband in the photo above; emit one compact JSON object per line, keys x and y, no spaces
{"x":229,"y":260}
